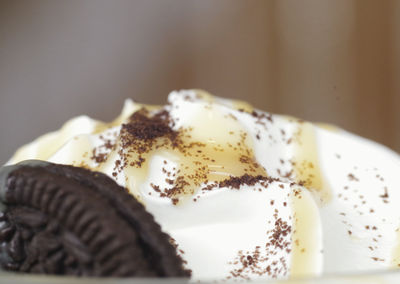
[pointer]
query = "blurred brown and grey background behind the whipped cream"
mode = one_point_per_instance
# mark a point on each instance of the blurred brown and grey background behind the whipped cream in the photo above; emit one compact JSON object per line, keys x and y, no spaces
{"x":328,"y":61}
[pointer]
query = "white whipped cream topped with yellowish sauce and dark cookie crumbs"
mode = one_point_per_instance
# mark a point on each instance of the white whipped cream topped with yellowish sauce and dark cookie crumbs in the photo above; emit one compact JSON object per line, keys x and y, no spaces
{"x":244,"y":194}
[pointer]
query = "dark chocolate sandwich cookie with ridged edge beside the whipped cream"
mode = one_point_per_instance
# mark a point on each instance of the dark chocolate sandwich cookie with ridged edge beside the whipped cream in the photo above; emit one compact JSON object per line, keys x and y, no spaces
{"x":65,"y":220}
